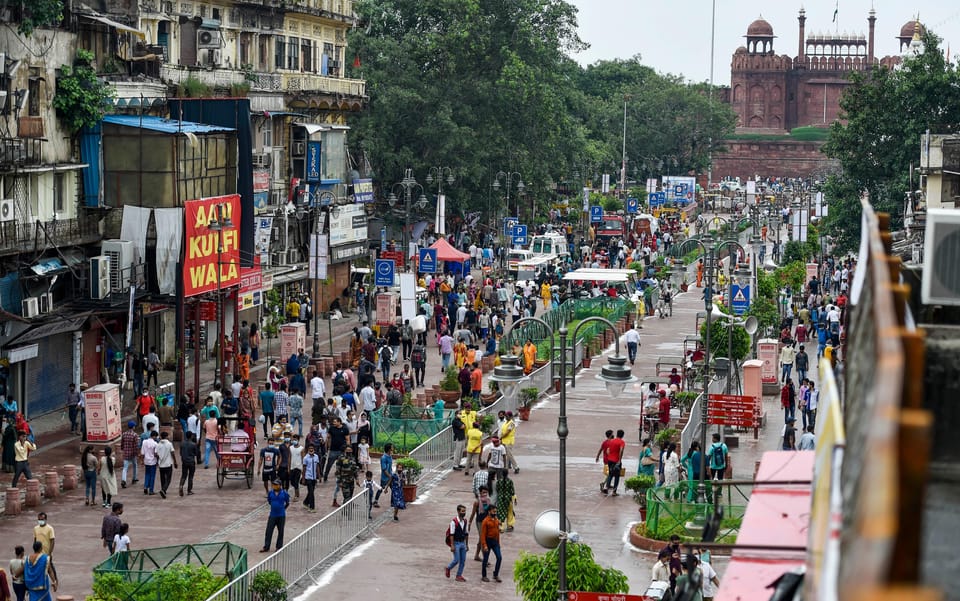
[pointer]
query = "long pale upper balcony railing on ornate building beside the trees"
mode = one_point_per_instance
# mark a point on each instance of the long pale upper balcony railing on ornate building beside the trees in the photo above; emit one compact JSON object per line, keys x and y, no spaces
{"x":266,"y":82}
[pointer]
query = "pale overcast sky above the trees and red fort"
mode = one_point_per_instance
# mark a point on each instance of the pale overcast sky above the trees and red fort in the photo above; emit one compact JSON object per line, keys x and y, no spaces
{"x":673,"y":36}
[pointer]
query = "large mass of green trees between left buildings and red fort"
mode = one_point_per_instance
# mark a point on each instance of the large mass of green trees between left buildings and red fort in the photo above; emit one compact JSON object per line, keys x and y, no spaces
{"x":483,"y":86}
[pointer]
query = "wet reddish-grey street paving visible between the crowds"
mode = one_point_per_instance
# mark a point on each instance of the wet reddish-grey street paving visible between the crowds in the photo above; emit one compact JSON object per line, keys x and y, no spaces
{"x":405,"y":559}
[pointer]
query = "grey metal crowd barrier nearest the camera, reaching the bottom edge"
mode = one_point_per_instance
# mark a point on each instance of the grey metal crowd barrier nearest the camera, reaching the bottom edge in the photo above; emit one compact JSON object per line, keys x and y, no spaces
{"x":308,"y":550}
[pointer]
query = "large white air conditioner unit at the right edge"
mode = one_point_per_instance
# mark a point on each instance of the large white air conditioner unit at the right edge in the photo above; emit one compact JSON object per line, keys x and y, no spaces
{"x":941,"y":255}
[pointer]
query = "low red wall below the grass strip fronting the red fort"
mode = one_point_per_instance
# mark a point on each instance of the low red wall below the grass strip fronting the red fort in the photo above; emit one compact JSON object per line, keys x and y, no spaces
{"x":746,"y":159}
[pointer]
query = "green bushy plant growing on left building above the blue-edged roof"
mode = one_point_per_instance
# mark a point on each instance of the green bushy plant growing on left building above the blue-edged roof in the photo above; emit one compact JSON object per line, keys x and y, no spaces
{"x":81,"y":97}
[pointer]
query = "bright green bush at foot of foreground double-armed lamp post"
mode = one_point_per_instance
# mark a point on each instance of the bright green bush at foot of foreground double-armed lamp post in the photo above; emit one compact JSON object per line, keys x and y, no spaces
{"x":537,"y":576}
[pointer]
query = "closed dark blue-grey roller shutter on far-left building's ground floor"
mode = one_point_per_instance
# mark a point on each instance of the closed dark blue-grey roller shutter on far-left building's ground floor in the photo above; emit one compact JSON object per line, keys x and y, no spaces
{"x":48,"y":375}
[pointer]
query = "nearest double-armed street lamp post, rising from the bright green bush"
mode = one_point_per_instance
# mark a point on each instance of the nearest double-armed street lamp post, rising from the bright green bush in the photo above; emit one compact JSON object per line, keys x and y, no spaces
{"x":615,"y":375}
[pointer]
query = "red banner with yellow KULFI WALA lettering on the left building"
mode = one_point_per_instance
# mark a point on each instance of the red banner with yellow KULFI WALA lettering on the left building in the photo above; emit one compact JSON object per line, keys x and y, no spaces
{"x":200,"y":268}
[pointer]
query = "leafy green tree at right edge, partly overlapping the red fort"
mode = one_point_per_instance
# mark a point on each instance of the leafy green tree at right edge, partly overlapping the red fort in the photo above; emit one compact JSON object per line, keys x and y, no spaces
{"x":884,"y":113}
